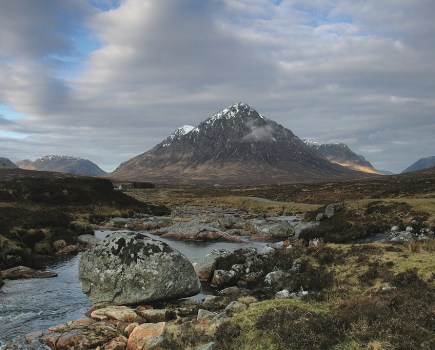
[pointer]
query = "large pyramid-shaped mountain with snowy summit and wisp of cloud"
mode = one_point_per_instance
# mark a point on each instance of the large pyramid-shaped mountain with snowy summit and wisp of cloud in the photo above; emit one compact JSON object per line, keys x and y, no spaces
{"x":235,"y":146}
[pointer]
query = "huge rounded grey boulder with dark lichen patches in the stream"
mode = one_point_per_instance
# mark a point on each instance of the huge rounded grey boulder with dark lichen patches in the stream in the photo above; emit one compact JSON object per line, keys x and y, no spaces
{"x":131,"y":268}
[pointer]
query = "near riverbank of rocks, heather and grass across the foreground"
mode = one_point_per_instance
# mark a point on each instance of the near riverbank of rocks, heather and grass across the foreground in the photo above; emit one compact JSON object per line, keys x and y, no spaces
{"x":296,"y":297}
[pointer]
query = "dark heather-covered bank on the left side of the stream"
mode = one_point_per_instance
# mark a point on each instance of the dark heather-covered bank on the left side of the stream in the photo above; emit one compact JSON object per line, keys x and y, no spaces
{"x":38,"y":209}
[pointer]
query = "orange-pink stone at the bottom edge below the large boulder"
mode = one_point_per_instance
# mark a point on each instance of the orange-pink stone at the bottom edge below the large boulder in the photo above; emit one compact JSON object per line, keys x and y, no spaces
{"x":146,"y":336}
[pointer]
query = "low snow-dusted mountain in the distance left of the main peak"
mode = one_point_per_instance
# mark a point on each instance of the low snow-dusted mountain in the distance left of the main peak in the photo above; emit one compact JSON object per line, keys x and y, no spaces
{"x":62,"y":164}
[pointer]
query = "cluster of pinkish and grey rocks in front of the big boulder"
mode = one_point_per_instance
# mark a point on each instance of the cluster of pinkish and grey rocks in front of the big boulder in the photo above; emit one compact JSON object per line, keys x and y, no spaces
{"x":139,"y":327}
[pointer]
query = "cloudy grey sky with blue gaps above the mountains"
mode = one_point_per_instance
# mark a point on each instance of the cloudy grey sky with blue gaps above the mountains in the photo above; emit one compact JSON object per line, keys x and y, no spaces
{"x":107,"y":80}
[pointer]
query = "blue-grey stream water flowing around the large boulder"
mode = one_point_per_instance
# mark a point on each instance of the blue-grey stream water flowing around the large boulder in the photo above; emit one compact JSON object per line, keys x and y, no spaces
{"x":29,"y":305}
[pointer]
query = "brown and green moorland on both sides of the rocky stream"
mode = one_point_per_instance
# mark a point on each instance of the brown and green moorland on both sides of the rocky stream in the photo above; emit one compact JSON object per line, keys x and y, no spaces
{"x":376,"y":295}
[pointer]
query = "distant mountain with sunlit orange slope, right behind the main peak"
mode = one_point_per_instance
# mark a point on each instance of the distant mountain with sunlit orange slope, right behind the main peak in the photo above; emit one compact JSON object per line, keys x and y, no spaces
{"x":340,"y":153}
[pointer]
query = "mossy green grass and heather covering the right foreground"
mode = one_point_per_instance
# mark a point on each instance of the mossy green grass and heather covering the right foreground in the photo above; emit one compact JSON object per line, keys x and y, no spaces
{"x":381,"y":296}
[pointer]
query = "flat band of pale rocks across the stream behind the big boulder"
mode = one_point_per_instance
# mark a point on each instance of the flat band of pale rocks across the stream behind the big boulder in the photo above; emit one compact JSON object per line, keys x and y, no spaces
{"x":215,"y":224}
